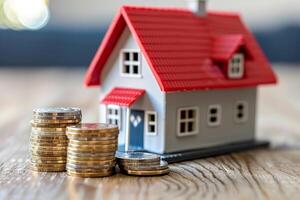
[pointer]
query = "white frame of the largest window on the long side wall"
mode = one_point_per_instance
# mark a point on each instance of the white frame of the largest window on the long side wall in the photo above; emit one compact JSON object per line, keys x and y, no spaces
{"x":195,"y":120}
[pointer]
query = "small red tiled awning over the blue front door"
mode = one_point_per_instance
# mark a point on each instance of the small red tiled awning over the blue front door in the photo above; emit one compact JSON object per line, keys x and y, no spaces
{"x":123,"y":96}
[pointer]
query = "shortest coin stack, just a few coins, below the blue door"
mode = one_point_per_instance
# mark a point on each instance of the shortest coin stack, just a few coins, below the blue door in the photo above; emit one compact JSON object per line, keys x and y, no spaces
{"x":141,"y":164}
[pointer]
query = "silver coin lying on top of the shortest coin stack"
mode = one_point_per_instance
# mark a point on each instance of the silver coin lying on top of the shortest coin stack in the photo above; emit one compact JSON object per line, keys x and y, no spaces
{"x":137,"y":156}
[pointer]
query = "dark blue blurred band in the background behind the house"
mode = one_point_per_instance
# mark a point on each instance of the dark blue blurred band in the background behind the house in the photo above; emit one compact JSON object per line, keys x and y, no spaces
{"x":70,"y":48}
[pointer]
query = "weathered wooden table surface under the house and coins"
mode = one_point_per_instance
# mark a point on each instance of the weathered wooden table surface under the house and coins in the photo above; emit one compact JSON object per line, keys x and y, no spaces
{"x":272,"y":173}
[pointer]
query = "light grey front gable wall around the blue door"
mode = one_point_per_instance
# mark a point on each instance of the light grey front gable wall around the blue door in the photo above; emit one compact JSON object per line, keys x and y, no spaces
{"x":153,"y":99}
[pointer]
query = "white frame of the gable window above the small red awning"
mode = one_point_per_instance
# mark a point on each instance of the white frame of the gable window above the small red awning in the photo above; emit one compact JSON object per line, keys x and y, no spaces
{"x":131,"y":63}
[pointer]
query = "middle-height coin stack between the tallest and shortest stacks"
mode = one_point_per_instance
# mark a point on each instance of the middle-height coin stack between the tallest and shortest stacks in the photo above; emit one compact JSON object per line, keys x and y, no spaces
{"x":91,"y":150}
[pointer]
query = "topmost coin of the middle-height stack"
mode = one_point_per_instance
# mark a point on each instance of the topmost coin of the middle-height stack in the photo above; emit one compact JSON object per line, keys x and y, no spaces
{"x":92,"y":127}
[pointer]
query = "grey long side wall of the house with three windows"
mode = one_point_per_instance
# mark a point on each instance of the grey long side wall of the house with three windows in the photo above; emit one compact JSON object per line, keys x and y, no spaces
{"x":228,"y":132}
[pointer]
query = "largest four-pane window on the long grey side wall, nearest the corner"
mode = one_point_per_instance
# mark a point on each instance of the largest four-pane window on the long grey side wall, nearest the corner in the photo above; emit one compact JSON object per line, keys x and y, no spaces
{"x":187,"y":121}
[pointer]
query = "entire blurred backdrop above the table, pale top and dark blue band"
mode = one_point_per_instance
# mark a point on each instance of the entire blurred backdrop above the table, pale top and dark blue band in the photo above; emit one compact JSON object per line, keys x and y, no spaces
{"x":68,"y":32}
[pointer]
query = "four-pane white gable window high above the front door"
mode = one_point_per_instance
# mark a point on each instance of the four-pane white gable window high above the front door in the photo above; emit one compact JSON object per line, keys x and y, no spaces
{"x":130,"y":63}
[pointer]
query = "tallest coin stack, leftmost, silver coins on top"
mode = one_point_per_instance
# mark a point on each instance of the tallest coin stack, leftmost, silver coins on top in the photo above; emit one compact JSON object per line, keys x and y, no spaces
{"x":48,"y":140}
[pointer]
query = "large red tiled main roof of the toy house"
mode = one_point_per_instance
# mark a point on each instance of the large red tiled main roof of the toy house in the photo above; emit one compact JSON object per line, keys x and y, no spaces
{"x":180,"y":48}
